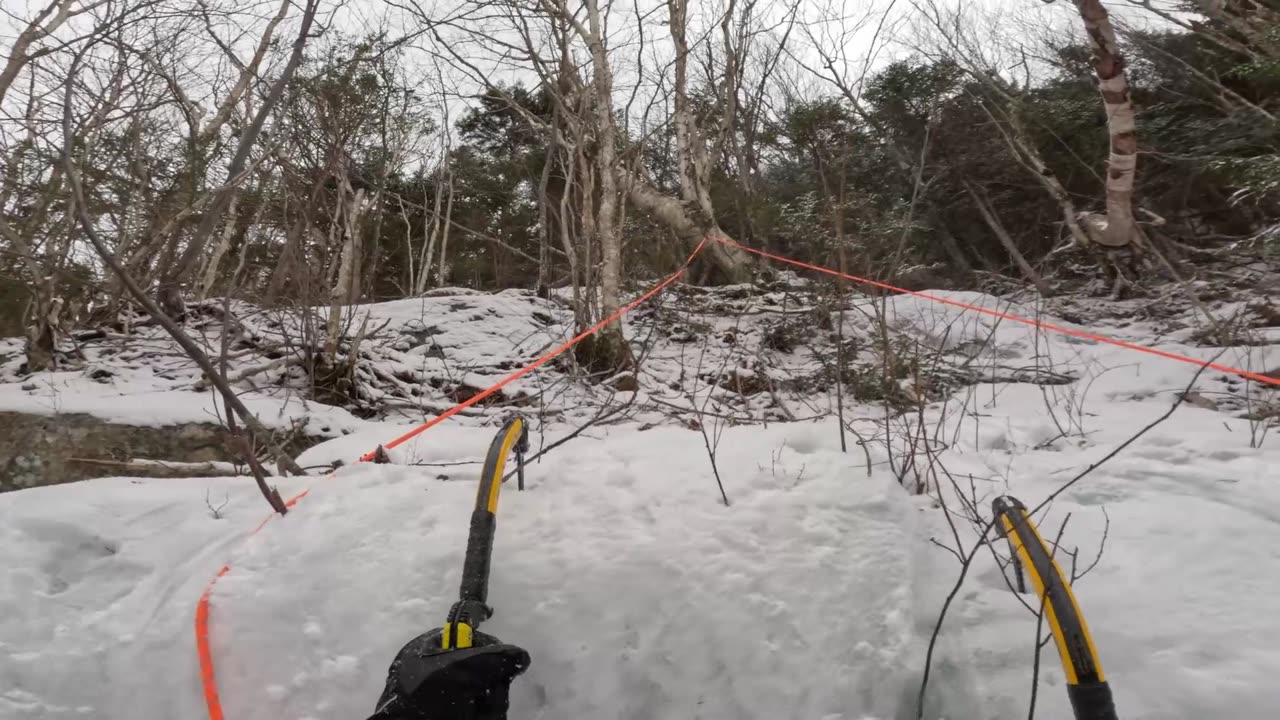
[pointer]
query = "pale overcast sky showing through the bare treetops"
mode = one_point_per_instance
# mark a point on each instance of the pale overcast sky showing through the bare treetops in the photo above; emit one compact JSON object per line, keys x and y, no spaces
{"x":858,"y":35}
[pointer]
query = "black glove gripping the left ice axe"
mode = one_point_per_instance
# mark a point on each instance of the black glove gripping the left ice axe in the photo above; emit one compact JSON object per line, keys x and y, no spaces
{"x":429,"y":683}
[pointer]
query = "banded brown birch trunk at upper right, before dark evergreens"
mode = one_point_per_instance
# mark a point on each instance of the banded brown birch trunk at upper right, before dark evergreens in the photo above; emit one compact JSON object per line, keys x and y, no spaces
{"x":1122,"y":125}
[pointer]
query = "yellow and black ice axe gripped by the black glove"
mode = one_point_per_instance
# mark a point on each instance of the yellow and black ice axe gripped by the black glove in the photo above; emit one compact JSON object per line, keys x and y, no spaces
{"x":473,"y":608}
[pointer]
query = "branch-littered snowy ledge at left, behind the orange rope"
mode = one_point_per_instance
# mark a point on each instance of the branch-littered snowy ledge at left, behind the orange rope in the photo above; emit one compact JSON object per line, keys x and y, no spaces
{"x":418,"y":358}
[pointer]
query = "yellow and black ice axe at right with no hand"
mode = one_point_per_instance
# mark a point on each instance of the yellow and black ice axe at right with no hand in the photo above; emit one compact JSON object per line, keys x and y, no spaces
{"x":1086,"y":685}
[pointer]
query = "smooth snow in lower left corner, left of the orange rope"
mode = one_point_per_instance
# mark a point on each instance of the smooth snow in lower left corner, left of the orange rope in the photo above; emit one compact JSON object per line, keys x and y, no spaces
{"x":98,"y":590}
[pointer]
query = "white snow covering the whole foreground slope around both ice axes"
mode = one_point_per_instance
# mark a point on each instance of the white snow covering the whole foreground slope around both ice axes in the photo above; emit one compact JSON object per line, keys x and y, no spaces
{"x":641,"y":595}
